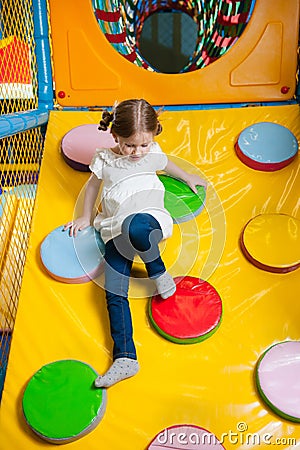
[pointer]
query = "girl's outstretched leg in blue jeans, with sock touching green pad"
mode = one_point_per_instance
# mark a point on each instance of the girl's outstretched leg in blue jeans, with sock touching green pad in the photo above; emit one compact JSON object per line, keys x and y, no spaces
{"x":117,"y":273}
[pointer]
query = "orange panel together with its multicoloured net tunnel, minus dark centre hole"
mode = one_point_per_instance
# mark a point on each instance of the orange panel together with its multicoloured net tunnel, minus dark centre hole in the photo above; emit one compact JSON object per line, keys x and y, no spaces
{"x":89,"y":72}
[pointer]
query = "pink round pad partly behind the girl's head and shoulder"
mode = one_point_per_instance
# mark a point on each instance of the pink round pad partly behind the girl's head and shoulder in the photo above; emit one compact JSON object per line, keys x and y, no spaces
{"x":79,"y":145}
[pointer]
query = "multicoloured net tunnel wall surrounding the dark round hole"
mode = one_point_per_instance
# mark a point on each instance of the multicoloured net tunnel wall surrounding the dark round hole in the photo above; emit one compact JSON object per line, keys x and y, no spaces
{"x":220,"y":24}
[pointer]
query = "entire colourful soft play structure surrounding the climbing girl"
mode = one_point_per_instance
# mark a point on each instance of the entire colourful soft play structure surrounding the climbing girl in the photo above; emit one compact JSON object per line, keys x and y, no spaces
{"x":220,"y":358}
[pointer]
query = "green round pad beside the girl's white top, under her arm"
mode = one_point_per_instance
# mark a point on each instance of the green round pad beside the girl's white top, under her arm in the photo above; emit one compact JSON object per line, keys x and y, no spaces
{"x":181,"y":202}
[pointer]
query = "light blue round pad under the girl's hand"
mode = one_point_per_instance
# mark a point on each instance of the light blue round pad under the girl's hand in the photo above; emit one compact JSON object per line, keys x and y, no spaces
{"x":73,"y":259}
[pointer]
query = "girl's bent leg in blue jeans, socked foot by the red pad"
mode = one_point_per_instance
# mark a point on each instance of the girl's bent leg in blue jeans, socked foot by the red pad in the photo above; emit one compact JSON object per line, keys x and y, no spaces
{"x":144,"y":234}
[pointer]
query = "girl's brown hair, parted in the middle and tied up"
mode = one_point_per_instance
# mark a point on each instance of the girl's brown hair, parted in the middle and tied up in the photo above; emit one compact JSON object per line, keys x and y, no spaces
{"x":130,"y":117}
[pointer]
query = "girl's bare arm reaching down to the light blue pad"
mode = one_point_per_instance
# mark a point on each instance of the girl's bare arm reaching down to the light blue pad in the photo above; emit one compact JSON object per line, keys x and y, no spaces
{"x":90,"y":196}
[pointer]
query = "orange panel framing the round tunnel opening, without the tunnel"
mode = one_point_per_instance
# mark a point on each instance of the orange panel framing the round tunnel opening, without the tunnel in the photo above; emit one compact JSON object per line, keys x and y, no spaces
{"x":261,"y":66}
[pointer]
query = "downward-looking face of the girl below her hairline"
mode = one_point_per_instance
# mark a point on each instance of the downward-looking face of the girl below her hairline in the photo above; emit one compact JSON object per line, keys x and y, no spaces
{"x":136,"y":146}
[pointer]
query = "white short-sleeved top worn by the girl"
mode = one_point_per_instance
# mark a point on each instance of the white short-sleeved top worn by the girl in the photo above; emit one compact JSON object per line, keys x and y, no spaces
{"x":130,"y":187}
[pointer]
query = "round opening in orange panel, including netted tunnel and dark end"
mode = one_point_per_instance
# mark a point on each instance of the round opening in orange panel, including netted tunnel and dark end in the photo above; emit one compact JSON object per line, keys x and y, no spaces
{"x":154,"y":35}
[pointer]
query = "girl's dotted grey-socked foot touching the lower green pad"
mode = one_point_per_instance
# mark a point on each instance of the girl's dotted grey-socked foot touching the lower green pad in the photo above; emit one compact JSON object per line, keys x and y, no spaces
{"x":121,"y":369}
